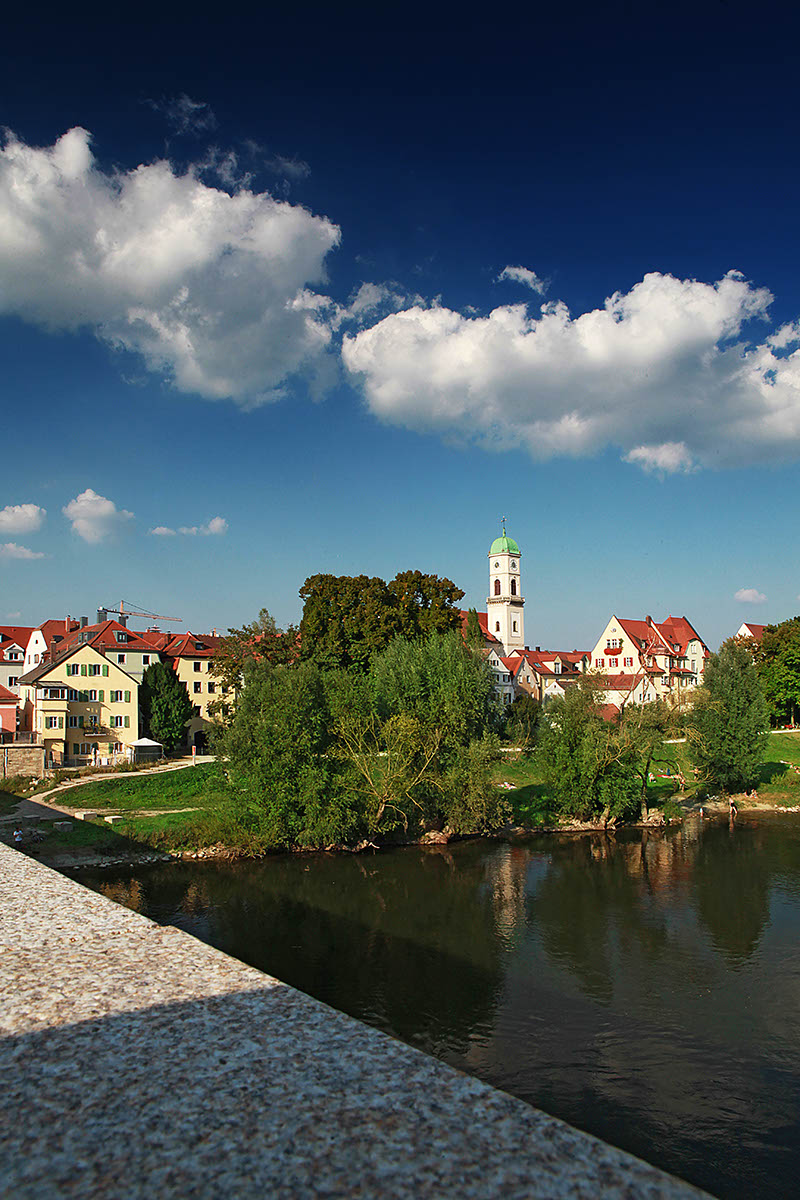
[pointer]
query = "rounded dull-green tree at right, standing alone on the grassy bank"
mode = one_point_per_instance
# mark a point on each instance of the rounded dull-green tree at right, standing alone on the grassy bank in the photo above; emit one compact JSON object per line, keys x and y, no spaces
{"x":729,"y":722}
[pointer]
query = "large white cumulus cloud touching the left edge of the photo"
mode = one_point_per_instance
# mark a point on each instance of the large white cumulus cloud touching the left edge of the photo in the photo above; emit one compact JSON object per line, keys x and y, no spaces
{"x":197,"y":281}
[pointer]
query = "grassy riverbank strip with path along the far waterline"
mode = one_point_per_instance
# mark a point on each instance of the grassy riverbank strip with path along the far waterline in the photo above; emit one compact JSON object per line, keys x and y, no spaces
{"x":172,"y":814}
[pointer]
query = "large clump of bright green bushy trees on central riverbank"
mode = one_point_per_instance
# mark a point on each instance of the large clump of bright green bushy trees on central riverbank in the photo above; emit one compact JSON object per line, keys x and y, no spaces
{"x":328,"y":757}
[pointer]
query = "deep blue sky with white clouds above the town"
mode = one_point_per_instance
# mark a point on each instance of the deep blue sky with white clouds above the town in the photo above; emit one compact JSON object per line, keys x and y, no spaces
{"x":335,"y":292}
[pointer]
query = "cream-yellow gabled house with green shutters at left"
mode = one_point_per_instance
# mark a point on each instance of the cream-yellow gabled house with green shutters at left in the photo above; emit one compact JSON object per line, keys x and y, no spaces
{"x":85,"y":707}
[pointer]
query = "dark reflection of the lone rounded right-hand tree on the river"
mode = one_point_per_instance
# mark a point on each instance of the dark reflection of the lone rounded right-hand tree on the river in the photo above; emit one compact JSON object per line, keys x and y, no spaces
{"x":732,"y":889}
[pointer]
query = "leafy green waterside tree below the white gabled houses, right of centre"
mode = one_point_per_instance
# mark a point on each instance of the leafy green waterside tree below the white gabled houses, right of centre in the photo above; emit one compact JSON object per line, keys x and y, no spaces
{"x":590,"y":765}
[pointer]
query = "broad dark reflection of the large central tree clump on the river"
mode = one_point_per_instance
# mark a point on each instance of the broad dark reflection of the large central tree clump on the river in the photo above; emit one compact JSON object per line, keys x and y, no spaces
{"x":406,"y":940}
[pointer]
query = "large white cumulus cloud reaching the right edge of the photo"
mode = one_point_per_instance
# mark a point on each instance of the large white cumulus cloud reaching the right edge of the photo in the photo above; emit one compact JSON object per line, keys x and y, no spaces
{"x":666,"y":373}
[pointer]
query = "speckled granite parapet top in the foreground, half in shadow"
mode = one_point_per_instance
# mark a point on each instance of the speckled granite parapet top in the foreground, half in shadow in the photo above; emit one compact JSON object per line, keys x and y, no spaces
{"x":139,"y":1063}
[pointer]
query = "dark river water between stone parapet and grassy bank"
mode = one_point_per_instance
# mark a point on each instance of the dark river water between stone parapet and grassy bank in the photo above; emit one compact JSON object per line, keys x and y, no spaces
{"x":643,"y":987}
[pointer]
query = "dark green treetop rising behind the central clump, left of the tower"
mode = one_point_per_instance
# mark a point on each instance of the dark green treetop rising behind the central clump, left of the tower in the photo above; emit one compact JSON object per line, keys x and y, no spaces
{"x":347,"y":620}
